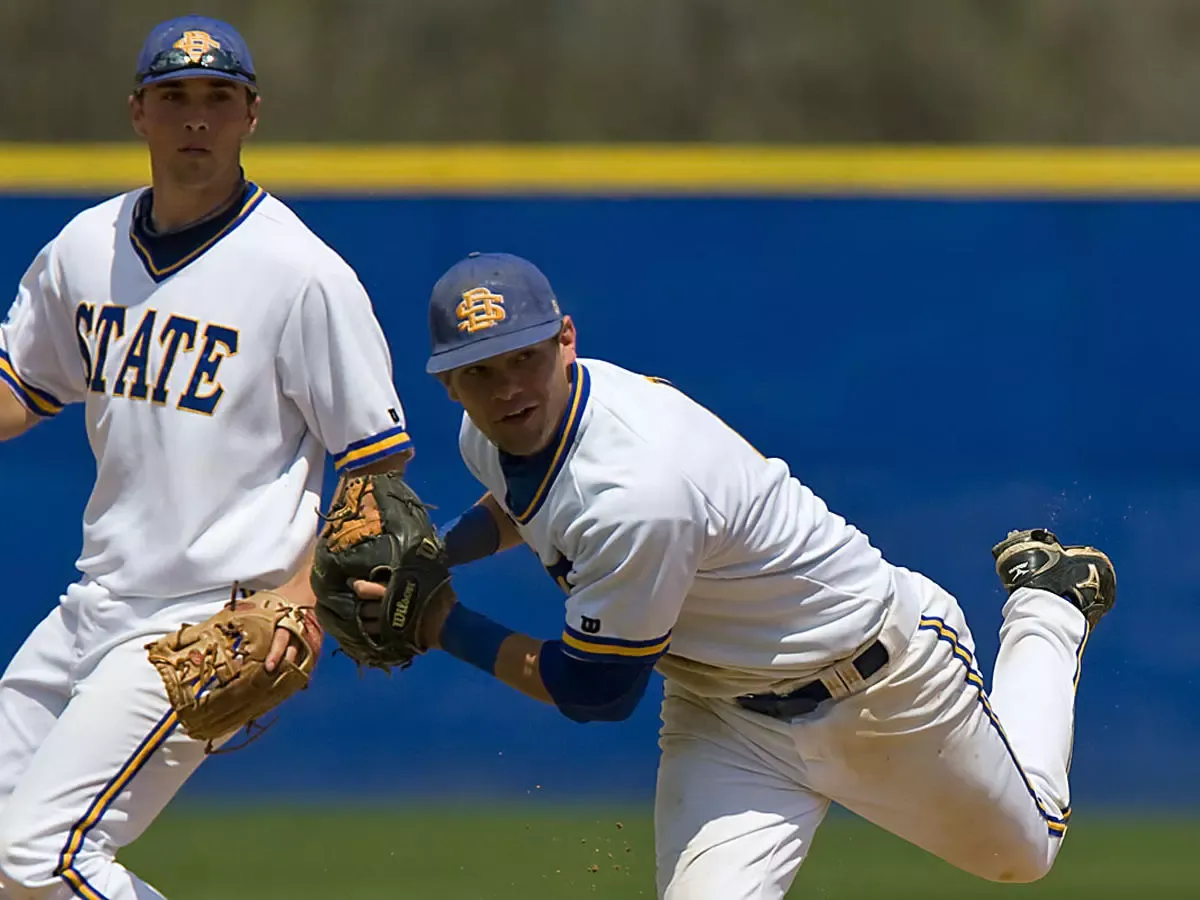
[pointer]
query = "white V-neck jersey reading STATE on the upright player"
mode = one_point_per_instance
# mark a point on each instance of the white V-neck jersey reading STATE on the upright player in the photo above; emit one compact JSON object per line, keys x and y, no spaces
{"x":214,"y":386}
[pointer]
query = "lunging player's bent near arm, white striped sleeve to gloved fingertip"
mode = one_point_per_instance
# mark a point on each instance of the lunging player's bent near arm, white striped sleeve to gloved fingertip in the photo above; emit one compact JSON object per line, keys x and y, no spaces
{"x":637,"y":554}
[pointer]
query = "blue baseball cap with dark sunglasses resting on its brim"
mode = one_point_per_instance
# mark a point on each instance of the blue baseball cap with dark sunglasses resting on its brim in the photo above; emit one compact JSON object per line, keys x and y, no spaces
{"x":195,"y":47}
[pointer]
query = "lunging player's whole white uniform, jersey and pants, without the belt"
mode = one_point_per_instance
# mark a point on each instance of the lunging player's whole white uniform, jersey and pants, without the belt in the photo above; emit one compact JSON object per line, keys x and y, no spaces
{"x":674,"y":537}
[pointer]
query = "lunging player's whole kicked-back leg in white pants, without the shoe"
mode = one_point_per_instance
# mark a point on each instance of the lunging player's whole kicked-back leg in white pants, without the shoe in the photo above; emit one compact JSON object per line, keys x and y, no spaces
{"x":926,"y":754}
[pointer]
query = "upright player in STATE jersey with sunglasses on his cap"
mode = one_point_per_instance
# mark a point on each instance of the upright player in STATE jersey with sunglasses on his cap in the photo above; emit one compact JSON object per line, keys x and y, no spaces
{"x":221,"y":350}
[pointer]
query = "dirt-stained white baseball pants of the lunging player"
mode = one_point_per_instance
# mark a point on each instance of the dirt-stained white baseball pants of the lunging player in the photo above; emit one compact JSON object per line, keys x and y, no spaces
{"x":925,"y":753}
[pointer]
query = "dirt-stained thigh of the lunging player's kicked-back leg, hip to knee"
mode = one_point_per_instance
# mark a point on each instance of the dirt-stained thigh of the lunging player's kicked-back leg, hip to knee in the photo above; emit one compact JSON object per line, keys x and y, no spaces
{"x":920,"y":755}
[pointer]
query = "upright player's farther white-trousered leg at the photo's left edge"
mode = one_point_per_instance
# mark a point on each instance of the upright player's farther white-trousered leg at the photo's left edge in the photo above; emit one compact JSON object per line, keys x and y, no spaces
{"x":34,"y":692}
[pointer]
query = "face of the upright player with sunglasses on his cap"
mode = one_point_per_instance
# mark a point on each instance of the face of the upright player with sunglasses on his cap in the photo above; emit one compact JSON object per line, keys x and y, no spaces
{"x":195,"y":127}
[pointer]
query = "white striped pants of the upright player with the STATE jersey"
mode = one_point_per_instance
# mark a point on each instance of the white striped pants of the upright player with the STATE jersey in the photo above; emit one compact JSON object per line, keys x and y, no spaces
{"x":89,"y":751}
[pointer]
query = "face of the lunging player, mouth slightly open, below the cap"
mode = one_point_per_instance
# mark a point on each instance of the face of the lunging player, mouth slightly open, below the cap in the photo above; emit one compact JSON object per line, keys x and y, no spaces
{"x":518,"y":399}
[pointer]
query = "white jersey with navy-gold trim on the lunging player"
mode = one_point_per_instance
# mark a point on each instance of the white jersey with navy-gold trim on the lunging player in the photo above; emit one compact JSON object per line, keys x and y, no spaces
{"x":675,"y":537}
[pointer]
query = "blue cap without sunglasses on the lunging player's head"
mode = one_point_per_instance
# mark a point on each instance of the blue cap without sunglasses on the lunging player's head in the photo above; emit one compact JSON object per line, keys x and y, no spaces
{"x":487,"y":305}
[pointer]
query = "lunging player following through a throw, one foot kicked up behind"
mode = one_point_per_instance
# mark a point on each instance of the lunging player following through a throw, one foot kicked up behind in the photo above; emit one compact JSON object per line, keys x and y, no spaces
{"x":801,"y":667}
